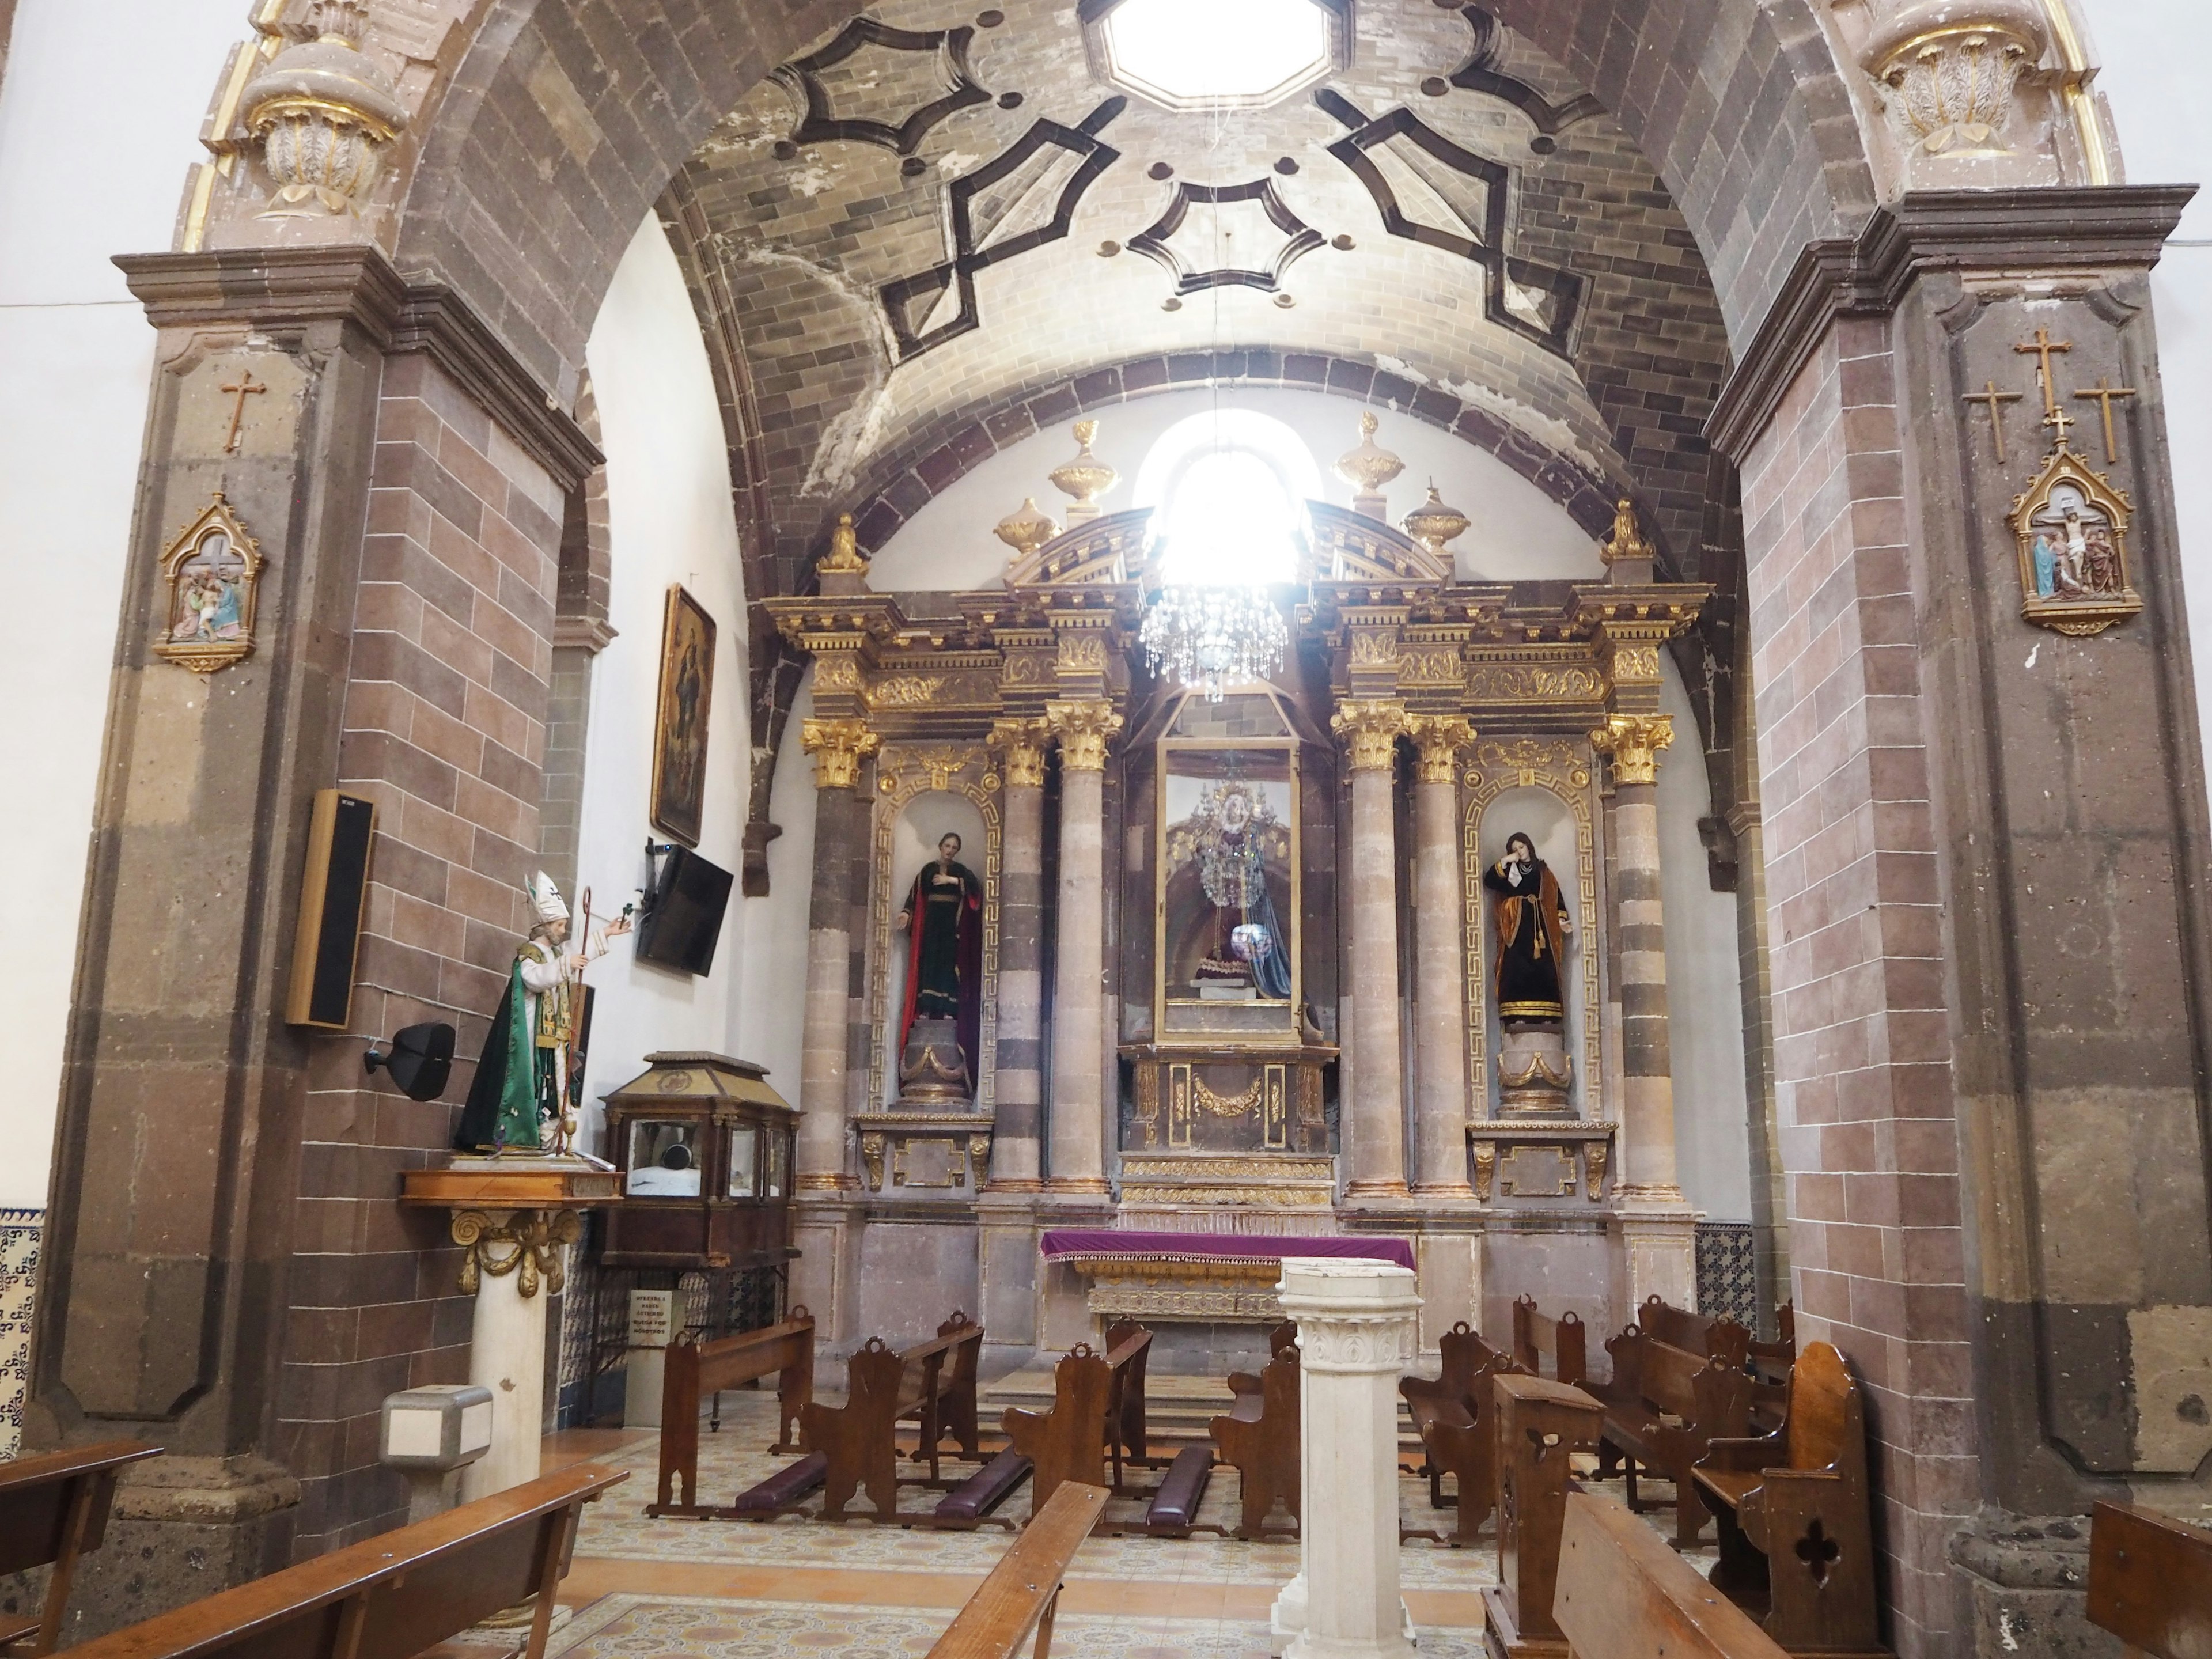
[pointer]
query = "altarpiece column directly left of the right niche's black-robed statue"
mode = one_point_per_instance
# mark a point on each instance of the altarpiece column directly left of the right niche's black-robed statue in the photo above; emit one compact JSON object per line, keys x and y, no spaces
{"x":1441,"y":959}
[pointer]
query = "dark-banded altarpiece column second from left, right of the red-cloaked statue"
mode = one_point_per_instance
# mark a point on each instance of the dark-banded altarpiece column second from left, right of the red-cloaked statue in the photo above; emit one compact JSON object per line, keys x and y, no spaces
{"x":1016,"y":1156}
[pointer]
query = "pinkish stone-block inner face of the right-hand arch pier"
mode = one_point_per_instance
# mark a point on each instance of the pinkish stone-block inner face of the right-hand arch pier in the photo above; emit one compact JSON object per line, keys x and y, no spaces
{"x":1861,"y":1039}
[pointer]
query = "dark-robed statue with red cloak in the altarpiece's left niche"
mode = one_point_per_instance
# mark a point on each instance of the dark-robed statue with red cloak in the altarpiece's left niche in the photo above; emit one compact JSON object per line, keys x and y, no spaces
{"x":941,"y":1025}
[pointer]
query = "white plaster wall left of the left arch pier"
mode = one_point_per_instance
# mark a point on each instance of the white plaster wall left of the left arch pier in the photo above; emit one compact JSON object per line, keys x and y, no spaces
{"x":79,"y":185}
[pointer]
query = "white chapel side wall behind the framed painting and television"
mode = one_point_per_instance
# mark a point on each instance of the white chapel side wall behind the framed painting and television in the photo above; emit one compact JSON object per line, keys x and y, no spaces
{"x":669,"y":514}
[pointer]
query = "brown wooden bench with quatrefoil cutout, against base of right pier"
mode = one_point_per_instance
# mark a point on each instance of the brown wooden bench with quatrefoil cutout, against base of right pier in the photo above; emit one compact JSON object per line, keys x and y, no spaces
{"x":1797,"y":1541}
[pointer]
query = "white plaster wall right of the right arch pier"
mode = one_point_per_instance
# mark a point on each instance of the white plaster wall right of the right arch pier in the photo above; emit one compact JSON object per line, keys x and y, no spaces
{"x":2153,"y":76}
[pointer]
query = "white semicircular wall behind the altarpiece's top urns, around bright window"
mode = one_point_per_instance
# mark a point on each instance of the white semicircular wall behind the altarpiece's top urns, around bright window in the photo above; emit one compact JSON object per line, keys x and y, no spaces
{"x":1519,"y":532}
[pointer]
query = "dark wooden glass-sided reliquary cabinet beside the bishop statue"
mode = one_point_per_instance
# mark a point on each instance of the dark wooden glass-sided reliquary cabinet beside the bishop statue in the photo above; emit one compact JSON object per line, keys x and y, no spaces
{"x":705,"y":1149}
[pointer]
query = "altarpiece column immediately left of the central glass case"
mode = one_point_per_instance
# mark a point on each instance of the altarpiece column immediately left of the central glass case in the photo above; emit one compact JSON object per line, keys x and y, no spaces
{"x":1083,"y":727}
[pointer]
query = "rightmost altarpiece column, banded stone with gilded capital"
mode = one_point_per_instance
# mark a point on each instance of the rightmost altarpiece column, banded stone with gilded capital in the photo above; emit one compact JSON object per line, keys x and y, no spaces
{"x":1660,"y":1253}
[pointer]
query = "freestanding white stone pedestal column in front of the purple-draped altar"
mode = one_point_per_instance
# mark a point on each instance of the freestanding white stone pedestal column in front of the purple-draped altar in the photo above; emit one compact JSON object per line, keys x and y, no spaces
{"x":1357,"y":1324}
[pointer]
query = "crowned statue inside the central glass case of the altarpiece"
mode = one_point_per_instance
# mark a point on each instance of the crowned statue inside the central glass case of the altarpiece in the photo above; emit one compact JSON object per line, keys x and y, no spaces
{"x":1231,"y":837}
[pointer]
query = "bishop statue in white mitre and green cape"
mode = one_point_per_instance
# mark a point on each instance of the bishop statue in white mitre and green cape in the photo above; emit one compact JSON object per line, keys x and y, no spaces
{"x":521,"y":1100}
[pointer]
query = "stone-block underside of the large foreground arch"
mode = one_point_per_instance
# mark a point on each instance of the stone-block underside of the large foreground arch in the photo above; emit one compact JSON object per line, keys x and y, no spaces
{"x":567,"y":121}
